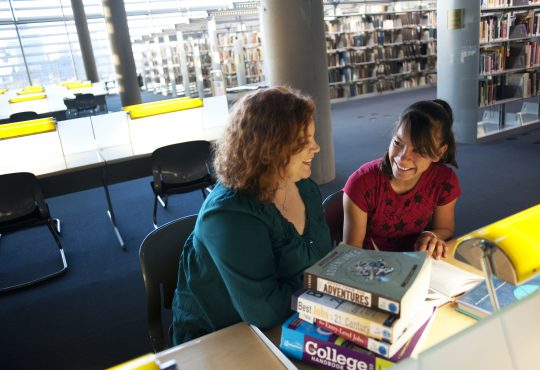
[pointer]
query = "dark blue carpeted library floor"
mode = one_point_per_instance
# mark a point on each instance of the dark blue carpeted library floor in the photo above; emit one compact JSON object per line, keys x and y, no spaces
{"x":94,"y":316}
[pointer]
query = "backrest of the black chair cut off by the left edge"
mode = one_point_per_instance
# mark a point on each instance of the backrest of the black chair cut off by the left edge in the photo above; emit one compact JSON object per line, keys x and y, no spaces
{"x":19,"y":195}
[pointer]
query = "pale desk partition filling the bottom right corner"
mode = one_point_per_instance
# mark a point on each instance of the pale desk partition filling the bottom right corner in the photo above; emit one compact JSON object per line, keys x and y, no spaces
{"x":509,"y":340}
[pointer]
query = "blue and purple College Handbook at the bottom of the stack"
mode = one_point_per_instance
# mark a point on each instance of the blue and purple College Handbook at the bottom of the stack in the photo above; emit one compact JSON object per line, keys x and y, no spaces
{"x":310,"y":344}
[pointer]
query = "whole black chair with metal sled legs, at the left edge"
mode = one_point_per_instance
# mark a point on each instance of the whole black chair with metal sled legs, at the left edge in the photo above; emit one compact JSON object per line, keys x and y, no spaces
{"x":22,"y":206}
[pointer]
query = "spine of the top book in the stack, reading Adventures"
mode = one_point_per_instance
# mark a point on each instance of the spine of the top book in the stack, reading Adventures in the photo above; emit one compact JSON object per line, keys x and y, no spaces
{"x":351,"y":294}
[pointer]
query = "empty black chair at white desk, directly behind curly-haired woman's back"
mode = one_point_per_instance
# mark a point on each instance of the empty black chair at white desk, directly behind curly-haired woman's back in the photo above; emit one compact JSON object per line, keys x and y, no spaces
{"x":181,"y":168}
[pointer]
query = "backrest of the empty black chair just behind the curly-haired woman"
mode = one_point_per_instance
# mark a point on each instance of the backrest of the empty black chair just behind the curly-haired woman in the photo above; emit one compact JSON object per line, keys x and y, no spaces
{"x":182,"y":162}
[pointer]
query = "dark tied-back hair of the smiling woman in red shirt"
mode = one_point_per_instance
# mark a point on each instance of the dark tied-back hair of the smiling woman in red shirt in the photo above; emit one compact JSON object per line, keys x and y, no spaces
{"x":429,"y":124}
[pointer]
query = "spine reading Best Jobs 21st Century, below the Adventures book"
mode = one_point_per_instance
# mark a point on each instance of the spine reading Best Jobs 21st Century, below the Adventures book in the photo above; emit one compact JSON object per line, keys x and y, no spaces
{"x":310,"y":311}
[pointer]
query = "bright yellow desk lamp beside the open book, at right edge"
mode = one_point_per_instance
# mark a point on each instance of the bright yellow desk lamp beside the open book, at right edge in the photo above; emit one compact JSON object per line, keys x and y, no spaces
{"x":508,"y":249}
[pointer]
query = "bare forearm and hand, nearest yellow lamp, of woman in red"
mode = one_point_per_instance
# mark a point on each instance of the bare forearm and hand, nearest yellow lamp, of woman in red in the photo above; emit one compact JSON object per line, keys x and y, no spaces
{"x":442,"y":229}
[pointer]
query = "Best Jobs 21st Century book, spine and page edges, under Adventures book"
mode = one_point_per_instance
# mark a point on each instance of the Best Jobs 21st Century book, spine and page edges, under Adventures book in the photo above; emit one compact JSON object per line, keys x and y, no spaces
{"x":379,"y":325}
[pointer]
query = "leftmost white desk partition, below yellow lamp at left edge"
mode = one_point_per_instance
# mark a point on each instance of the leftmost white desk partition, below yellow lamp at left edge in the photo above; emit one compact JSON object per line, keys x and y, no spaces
{"x":39,"y":154}
